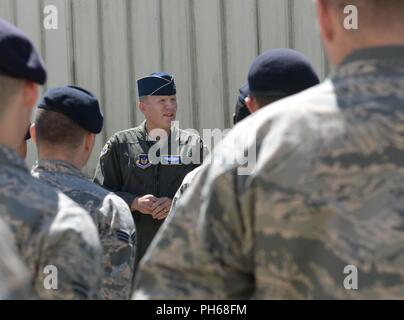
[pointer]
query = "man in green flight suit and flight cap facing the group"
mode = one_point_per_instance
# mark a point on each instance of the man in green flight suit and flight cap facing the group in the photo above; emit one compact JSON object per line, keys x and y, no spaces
{"x":146,"y":165}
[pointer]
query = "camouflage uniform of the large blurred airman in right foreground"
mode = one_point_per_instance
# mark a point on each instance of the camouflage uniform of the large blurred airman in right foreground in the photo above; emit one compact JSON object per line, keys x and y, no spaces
{"x":327,"y":192}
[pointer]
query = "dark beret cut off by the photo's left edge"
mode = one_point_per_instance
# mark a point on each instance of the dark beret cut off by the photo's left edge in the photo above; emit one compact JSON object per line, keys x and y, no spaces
{"x":18,"y":56}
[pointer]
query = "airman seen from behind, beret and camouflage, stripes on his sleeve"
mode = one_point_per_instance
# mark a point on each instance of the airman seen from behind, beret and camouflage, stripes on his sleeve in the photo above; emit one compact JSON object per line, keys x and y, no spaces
{"x":109,"y":212}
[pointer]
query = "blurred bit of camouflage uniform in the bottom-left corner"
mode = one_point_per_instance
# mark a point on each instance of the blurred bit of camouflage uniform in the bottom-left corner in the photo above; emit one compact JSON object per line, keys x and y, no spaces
{"x":14,"y":277}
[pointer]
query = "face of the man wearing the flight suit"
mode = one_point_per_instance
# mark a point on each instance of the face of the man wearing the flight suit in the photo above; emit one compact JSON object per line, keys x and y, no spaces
{"x":159,"y":111}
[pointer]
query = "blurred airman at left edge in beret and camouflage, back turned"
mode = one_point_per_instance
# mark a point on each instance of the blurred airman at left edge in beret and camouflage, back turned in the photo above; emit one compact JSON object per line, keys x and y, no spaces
{"x":49,"y":229}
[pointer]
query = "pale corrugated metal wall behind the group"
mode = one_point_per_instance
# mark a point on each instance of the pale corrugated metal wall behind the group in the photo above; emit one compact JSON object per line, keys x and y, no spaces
{"x":208,"y":45}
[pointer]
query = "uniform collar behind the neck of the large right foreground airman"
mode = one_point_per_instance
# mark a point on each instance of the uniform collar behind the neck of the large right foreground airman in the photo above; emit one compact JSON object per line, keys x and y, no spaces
{"x":395,"y":52}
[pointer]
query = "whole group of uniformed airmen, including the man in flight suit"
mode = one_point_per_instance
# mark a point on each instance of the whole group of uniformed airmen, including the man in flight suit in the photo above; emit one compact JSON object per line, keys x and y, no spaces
{"x":326,"y":190}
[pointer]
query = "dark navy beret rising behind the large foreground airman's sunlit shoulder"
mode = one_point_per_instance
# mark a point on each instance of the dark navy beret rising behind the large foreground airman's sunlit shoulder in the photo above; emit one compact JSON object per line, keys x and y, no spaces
{"x":281,"y":72}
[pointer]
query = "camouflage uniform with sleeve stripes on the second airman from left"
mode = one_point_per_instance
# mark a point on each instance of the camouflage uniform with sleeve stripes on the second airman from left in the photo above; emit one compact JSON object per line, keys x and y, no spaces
{"x":111,"y":216}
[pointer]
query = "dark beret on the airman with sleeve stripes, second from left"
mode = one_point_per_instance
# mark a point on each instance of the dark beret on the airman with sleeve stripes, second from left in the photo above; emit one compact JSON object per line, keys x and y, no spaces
{"x":78,"y":104}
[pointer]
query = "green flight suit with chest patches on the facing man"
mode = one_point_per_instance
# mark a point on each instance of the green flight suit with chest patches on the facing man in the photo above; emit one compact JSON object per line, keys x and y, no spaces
{"x":126,"y":169}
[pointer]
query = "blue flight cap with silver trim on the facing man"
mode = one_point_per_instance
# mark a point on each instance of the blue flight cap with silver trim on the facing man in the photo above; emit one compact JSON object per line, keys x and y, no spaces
{"x":157,"y":84}
